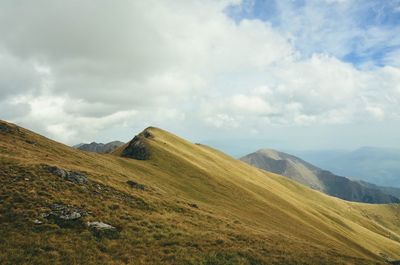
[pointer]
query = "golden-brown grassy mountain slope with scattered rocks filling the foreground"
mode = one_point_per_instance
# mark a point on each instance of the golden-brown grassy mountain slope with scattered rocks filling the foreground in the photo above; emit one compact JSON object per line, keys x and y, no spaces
{"x":160,"y":199}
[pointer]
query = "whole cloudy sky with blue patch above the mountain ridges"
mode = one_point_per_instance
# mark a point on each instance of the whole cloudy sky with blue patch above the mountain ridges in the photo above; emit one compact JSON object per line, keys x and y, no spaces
{"x":239,"y":75}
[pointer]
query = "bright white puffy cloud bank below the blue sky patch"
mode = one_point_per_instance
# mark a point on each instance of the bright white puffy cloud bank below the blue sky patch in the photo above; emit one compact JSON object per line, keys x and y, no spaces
{"x":320,"y":90}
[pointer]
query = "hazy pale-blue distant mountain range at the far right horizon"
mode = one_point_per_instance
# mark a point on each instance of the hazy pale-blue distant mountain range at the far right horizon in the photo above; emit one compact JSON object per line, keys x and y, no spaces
{"x":380,"y":166}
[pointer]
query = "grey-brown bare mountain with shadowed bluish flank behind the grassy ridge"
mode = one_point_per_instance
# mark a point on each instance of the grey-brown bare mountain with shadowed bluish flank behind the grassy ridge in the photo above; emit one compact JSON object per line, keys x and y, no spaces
{"x":316,"y":178}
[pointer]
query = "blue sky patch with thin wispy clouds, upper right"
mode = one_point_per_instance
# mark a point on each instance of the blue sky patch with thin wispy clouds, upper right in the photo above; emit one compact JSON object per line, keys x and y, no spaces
{"x":355,"y":31}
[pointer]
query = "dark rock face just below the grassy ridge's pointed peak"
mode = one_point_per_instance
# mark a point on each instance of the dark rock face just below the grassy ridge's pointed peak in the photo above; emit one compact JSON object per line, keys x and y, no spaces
{"x":137,"y":148}
